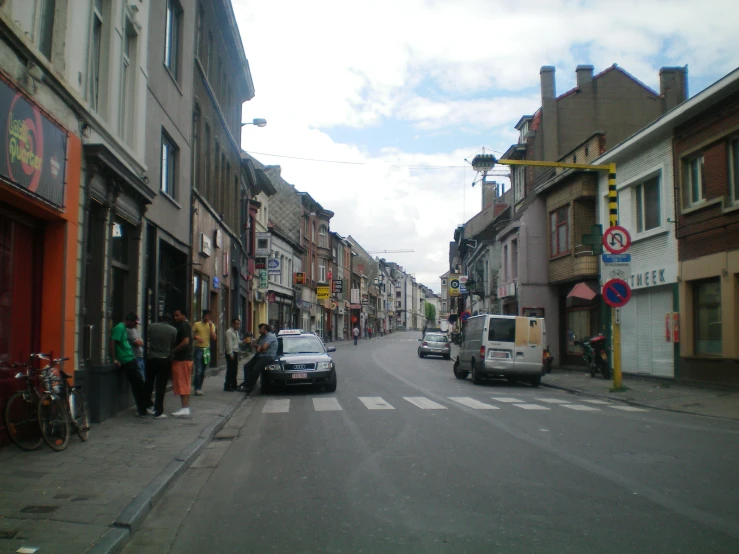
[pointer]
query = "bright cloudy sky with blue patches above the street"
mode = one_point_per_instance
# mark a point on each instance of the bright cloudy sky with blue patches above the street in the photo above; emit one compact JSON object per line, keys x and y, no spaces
{"x":402,"y":91}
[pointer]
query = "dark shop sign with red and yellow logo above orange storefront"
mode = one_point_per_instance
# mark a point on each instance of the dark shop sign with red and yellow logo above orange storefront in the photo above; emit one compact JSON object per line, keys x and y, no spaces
{"x":34,"y":155}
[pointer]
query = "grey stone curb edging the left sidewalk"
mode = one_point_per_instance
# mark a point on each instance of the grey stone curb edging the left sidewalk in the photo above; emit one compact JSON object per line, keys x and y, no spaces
{"x":133,"y":515}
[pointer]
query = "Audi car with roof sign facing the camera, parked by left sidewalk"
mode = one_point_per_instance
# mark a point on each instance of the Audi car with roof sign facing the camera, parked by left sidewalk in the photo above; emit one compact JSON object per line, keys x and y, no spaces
{"x":302,"y":359}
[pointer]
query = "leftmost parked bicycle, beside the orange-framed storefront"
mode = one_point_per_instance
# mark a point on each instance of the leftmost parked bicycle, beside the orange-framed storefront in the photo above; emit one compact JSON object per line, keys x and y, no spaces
{"x":21,"y":410}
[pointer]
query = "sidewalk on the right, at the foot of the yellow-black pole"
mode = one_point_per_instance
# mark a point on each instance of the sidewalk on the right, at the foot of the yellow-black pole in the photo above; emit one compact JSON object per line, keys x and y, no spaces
{"x":651,"y":393}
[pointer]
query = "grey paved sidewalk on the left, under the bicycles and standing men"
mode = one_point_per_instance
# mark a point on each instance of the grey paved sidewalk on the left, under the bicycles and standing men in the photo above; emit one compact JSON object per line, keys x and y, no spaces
{"x":97,"y":492}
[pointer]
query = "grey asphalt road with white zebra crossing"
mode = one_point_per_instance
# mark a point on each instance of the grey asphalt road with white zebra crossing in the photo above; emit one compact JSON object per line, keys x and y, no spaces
{"x":406,"y":458}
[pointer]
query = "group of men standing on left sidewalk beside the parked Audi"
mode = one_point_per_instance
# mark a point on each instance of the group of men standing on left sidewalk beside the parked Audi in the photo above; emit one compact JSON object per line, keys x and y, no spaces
{"x":176,"y":347}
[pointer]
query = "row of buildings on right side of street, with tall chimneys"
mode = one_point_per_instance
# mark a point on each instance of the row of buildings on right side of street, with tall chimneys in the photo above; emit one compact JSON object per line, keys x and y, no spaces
{"x":535,"y":249}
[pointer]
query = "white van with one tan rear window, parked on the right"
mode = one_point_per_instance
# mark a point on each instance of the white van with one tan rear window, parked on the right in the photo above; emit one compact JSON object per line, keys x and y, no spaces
{"x":502,"y":346}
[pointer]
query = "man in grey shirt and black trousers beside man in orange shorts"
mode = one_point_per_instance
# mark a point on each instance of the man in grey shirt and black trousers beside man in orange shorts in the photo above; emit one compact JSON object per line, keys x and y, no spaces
{"x":162,"y":338}
